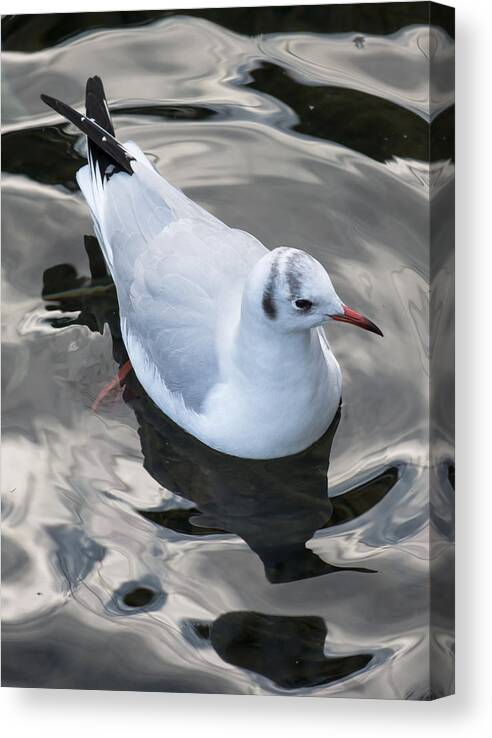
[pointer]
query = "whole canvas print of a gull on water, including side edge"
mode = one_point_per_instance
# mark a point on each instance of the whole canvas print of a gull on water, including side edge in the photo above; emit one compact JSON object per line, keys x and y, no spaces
{"x":227,"y":417}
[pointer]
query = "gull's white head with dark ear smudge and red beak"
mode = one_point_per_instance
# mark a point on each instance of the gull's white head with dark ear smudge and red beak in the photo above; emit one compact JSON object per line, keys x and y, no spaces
{"x":291,"y":291}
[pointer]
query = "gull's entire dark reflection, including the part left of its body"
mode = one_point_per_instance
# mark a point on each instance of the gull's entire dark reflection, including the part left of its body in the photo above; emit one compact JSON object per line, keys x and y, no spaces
{"x":275,"y":505}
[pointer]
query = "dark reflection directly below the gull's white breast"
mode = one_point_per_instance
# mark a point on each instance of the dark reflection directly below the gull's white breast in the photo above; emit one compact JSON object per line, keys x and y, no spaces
{"x":275,"y":506}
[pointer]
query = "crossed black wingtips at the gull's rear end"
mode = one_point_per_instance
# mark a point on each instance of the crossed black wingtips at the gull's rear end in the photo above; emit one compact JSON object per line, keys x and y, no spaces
{"x":105,"y":153}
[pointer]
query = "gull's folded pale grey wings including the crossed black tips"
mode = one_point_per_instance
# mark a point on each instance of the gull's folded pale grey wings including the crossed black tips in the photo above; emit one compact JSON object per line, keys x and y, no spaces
{"x":173,"y":263}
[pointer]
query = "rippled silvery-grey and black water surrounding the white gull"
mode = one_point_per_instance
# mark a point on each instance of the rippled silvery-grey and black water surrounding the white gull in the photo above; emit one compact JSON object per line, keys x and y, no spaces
{"x":134,"y":557}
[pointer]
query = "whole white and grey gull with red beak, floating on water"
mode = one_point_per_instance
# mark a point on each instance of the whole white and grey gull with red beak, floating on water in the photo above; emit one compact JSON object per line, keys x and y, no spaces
{"x":225,"y":336}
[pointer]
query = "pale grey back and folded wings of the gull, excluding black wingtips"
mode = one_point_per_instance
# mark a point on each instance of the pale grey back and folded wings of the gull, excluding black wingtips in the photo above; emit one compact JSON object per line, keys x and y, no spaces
{"x":157,"y":238}
